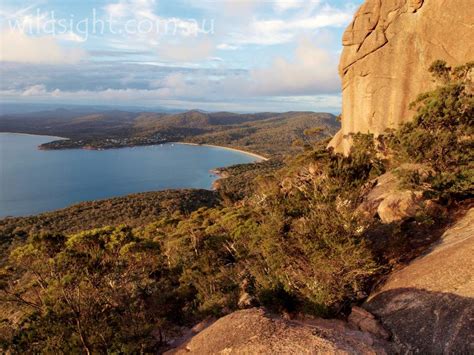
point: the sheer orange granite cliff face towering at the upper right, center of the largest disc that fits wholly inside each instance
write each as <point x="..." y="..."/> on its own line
<point x="388" y="49"/>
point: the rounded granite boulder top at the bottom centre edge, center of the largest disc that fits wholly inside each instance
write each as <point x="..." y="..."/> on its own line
<point x="253" y="331"/>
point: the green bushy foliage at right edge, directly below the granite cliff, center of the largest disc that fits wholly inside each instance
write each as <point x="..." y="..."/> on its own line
<point x="441" y="133"/>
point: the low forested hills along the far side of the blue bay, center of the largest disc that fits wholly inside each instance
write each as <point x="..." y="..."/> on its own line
<point x="265" y="133"/>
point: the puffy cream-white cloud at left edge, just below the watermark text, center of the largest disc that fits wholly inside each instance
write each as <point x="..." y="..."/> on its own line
<point x="21" y="48"/>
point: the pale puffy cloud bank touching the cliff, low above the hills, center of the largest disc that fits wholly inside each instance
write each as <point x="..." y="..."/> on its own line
<point x="312" y="71"/>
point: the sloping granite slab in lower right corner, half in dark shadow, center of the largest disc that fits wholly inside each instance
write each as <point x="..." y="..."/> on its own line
<point x="428" y="306"/>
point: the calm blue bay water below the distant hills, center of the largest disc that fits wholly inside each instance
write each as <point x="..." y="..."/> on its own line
<point x="34" y="181"/>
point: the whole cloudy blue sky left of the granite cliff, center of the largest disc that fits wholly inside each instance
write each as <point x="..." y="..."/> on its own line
<point x="233" y="55"/>
